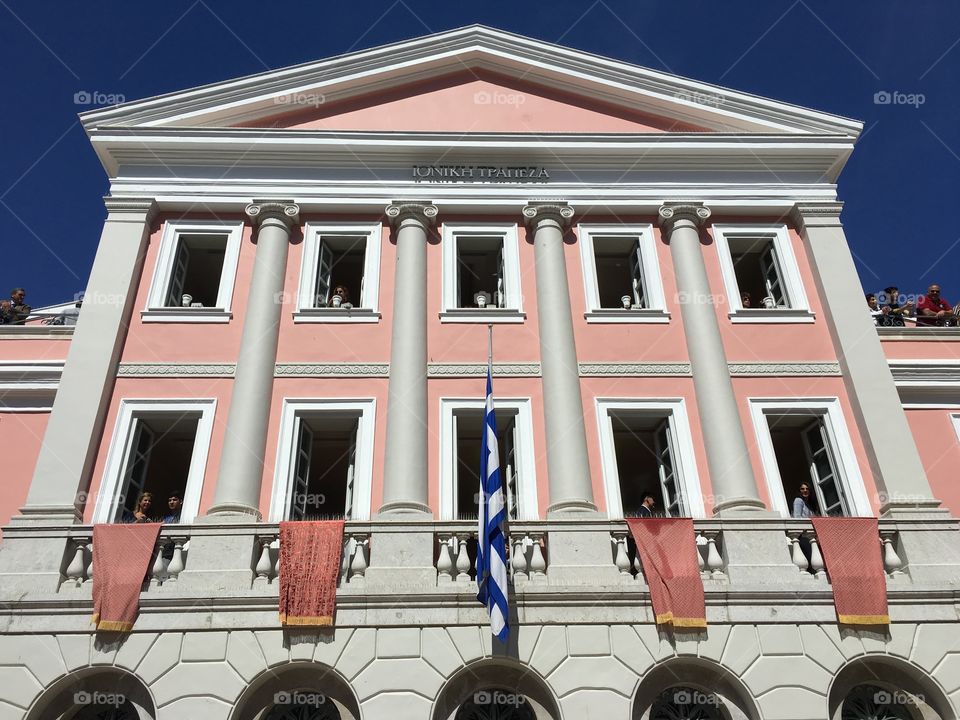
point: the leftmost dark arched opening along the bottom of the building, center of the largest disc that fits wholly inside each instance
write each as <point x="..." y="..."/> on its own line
<point x="79" y="693"/>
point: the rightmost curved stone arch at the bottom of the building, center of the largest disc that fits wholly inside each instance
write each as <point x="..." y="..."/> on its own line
<point x="914" y="693"/>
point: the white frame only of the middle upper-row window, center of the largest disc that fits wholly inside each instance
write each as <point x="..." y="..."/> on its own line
<point x="513" y="312"/>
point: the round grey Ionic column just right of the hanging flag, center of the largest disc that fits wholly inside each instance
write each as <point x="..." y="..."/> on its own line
<point x="567" y="465"/>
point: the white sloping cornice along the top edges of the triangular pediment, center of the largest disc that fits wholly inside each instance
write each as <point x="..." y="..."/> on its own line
<point x="472" y="48"/>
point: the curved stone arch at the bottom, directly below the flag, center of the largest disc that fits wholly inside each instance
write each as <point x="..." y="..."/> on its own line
<point x="496" y="675"/>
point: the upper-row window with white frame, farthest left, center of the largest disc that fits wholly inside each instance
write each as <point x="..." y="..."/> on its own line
<point x="194" y="276"/>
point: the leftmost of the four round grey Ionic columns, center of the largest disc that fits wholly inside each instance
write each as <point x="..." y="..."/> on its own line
<point x="241" y="467"/>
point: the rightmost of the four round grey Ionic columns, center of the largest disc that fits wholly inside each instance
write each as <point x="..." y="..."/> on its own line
<point x="730" y="471"/>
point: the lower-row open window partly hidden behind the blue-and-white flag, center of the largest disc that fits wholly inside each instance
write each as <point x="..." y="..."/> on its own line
<point x="461" y="438"/>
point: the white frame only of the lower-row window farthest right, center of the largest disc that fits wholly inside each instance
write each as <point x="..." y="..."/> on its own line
<point x="831" y="413"/>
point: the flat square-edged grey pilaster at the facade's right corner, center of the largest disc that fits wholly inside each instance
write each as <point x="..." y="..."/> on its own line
<point x="894" y="459"/>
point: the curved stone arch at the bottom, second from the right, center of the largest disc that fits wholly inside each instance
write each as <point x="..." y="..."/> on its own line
<point x="695" y="677"/>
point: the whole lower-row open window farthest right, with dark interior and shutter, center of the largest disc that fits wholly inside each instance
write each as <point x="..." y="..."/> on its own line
<point x="806" y="442"/>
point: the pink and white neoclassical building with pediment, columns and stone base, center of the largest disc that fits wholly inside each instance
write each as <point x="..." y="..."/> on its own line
<point x="288" y="318"/>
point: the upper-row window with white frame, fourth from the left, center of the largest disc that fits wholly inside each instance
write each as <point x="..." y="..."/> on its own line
<point x="621" y="274"/>
